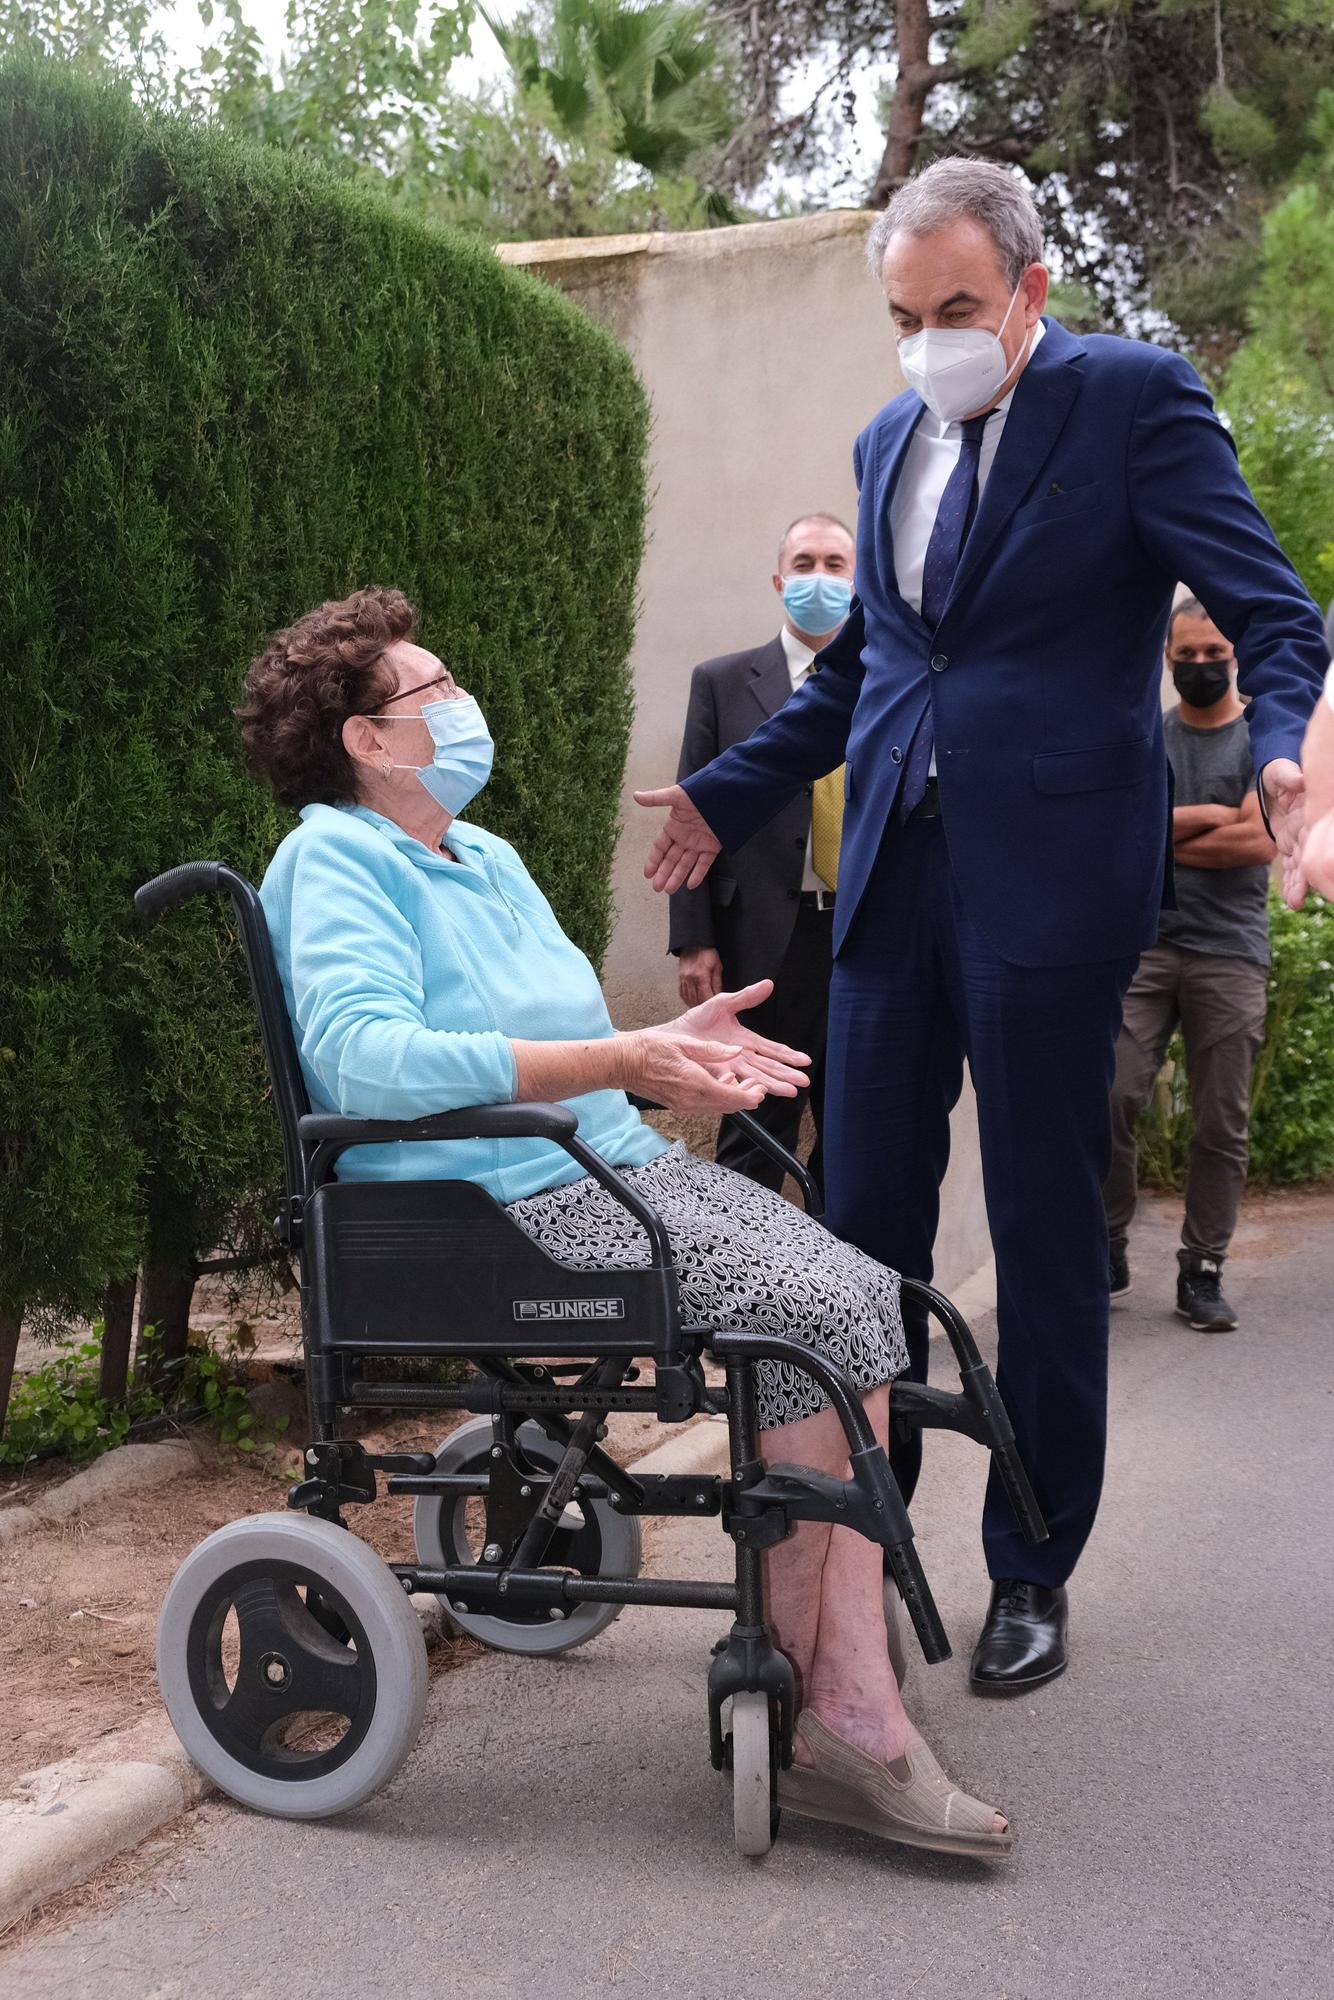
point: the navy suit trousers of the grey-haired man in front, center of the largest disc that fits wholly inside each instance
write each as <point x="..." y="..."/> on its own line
<point x="917" y="989"/>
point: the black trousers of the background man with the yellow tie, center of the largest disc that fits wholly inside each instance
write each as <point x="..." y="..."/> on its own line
<point x="795" y="1013"/>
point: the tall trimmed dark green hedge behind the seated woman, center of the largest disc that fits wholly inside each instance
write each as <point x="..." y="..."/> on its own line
<point x="229" y="389"/>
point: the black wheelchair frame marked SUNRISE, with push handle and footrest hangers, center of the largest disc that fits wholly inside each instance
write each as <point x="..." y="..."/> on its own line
<point x="523" y="1375"/>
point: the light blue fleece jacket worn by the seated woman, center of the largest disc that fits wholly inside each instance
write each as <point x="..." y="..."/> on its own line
<point x="407" y="975"/>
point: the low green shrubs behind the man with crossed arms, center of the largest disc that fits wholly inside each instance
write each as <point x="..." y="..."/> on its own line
<point x="1293" y="1089"/>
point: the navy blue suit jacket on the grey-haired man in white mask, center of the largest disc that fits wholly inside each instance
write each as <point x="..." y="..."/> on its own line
<point x="1113" y="483"/>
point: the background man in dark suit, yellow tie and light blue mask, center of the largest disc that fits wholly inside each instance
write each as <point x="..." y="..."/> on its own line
<point x="769" y="913"/>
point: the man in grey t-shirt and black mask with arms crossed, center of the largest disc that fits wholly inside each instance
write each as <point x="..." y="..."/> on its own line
<point x="1207" y="973"/>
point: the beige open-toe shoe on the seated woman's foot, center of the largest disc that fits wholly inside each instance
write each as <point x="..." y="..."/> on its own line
<point x="911" y="1801"/>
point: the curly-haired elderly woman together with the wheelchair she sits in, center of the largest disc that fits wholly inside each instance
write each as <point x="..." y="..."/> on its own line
<point x="467" y="1173"/>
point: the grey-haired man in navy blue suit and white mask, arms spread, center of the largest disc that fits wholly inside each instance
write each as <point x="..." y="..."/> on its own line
<point x="1027" y="511"/>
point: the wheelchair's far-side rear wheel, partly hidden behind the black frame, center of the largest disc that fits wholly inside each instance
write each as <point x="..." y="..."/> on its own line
<point x="593" y="1539"/>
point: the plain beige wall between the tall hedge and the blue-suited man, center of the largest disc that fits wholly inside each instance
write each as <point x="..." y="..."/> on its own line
<point x="765" y="349"/>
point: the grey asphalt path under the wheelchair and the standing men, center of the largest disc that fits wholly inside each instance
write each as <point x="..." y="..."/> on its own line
<point x="559" y="1831"/>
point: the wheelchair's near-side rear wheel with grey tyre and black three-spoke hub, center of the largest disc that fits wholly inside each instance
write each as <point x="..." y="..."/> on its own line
<point x="291" y="1665"/>
